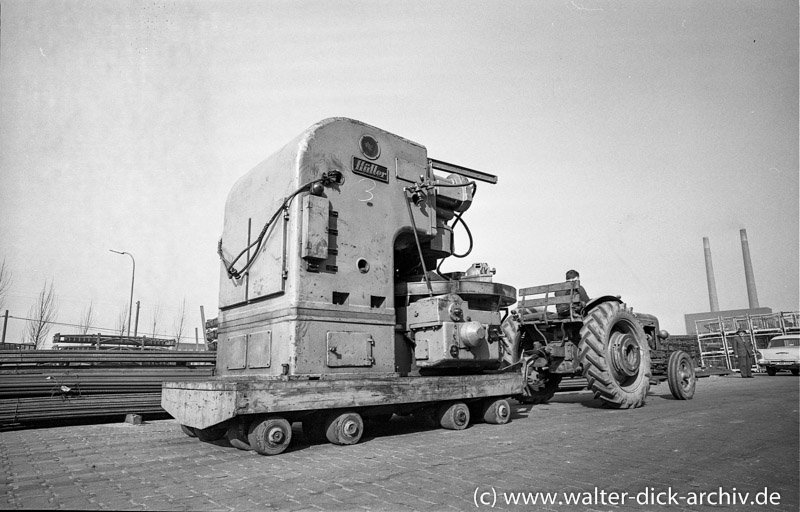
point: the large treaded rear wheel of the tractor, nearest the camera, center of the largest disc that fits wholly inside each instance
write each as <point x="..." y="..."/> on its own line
<point x="615" y="356"/>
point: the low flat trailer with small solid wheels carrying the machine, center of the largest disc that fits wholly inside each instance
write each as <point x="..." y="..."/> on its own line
<point x="258" y="414"/>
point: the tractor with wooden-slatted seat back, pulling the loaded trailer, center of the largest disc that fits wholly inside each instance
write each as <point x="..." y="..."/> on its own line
<point x="619" y="352"/>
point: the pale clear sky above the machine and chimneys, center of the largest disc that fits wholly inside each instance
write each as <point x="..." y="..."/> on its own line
<point x="622" y="132"/>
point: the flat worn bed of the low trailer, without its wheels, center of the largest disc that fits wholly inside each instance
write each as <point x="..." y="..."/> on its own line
<point x="210" y="404"/>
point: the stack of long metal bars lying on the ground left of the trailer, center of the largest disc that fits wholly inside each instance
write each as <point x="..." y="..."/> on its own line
<point x="46" y="385"/>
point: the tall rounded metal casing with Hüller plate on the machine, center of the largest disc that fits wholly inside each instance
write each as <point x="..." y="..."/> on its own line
<point x="319" y="297"/>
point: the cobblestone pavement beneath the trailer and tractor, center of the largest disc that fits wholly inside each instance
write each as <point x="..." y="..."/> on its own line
<point x="736" y="436"/>
